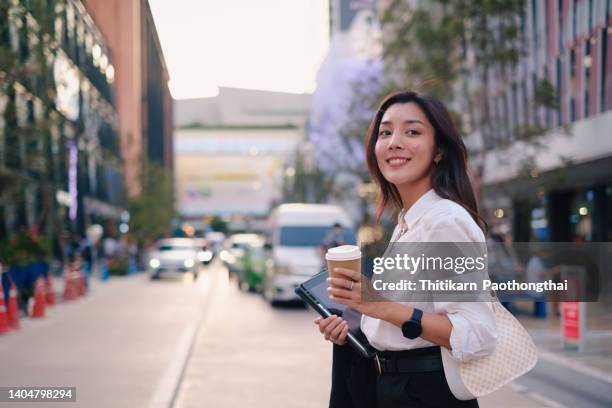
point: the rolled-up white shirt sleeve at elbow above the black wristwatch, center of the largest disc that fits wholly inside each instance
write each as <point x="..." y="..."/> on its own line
<point x="474" y="333"/>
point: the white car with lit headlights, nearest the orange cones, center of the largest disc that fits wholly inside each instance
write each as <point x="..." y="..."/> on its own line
<point x="174" y="255"/>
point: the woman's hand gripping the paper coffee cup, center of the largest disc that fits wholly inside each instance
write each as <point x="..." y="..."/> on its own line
<point x="346" y="290"/>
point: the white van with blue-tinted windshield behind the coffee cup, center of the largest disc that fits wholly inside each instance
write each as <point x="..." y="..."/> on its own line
<point x="295" y="233"/>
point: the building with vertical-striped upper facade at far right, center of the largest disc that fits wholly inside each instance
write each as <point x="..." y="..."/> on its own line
<point x="559" y="188"/>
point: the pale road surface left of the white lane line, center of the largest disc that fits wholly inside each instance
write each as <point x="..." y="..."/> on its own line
<point x="114" y="345"/>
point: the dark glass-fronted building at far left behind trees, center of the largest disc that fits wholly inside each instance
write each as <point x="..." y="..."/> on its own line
<point x="60" y="159"/>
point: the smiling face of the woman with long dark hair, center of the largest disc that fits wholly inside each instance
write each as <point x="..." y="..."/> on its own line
<point x="405" y="145"/>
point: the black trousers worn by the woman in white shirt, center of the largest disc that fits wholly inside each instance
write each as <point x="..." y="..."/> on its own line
<point x="357" y="384"/>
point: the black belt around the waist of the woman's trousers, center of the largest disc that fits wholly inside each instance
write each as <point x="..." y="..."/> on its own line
<point x="420" y="360"/>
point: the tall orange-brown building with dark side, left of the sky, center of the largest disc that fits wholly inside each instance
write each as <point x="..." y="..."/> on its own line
<point x="144" y="104"/>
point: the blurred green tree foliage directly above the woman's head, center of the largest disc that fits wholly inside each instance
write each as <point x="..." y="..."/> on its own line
<point x="428" y="45"/>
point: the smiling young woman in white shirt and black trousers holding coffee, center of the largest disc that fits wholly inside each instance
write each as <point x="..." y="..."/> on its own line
<point x="417" y="157"/>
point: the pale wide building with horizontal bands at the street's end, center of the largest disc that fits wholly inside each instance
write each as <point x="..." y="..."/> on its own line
<point x="230" y="153"/>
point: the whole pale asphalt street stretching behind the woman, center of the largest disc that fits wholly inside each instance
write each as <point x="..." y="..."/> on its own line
<point x="137" y="343"/>
